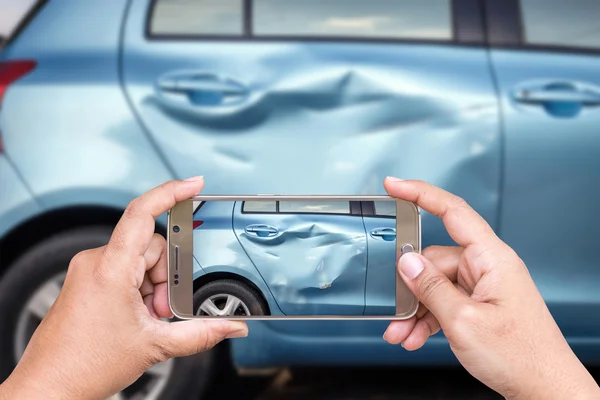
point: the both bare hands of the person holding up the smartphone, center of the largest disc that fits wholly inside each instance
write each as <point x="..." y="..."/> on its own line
<point x="105" y="329"/>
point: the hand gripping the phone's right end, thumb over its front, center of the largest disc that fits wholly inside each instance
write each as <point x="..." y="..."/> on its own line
<point x="483" y="298"/>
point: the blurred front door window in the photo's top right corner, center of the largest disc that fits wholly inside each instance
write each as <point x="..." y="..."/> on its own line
<point x="573" y="23"/>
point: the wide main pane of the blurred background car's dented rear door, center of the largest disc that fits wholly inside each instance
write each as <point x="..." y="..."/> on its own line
<point x="418" y="19"/>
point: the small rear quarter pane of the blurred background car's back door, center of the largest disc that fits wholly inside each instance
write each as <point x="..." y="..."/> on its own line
<point x="197" y="17"/>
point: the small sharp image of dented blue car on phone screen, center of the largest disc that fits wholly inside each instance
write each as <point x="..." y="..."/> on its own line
<point x="294" y="258"/>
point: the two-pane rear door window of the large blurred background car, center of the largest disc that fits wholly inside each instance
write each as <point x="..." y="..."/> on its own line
<point x="386" y="19"/>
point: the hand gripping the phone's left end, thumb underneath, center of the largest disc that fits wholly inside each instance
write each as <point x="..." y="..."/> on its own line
<point x="105" y="328"/>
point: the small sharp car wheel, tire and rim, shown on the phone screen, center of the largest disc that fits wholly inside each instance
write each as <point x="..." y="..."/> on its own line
<point x="228" y="297"/>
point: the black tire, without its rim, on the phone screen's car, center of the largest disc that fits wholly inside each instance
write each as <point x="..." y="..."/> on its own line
<point x="252" y="299"/>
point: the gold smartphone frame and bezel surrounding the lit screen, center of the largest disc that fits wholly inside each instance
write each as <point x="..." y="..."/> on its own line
<point x="179" y="246"/>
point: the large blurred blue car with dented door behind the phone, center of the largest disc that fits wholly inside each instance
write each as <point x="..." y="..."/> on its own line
<point x="497" y="101"/>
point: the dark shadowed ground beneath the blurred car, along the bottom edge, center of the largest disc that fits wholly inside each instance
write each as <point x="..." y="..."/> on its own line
<point x="358" y="384"/>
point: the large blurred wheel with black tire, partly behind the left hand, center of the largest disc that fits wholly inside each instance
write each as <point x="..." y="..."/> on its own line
<point x="31" y="286"/>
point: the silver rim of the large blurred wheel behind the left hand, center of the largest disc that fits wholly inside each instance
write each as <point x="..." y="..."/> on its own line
<point x="148" y="387"/>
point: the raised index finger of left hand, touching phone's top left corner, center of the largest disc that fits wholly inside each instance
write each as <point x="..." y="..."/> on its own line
<point x="135" y="229"/>
